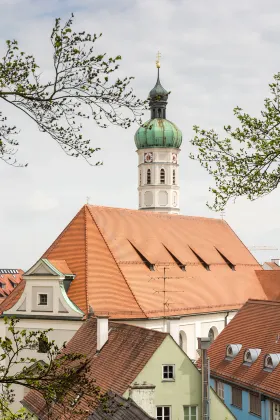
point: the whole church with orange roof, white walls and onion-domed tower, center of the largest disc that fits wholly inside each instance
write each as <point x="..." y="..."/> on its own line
<point x="150" y="267"/>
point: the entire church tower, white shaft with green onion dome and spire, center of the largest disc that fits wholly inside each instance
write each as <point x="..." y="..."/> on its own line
<point x="158" y="144"/>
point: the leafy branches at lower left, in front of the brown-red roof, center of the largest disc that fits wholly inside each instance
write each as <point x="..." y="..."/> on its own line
<point x="60" y="377"/>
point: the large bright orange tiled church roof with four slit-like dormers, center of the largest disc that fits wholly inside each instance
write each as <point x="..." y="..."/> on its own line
<point x="99" y="247"/>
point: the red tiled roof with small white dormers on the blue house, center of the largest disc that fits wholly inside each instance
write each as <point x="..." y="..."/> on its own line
<point x="256" y="325"/>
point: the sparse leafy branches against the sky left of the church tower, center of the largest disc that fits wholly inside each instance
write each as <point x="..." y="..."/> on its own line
<point x="81" y="88"/>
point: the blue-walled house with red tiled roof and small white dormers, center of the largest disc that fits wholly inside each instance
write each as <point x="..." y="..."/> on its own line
<point x="244" y="362"/>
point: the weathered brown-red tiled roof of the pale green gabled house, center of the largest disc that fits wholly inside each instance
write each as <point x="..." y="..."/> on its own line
<point x="115" y="367"/>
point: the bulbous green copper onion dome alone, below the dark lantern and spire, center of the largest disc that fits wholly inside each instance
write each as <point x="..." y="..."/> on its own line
<point x="158" y="132"/>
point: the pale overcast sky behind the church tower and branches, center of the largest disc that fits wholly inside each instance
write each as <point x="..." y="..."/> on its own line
<point x="215" y="55"/>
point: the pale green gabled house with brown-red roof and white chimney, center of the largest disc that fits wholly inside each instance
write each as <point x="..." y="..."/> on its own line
<point x="145" y="365"/>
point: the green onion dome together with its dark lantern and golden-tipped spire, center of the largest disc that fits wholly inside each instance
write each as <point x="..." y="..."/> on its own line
<point x="158" y="131"/>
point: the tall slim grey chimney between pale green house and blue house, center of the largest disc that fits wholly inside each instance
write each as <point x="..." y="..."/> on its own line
<point x="203" y="345"/>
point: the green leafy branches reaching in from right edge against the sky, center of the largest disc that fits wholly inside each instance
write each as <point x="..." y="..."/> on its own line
<point x="247" y="161"/>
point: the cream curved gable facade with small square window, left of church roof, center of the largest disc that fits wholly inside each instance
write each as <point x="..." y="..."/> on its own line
<point x="44" y="304"/>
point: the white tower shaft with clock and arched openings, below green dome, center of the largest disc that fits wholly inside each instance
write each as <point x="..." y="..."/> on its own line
<point x="154" y="194"/>
